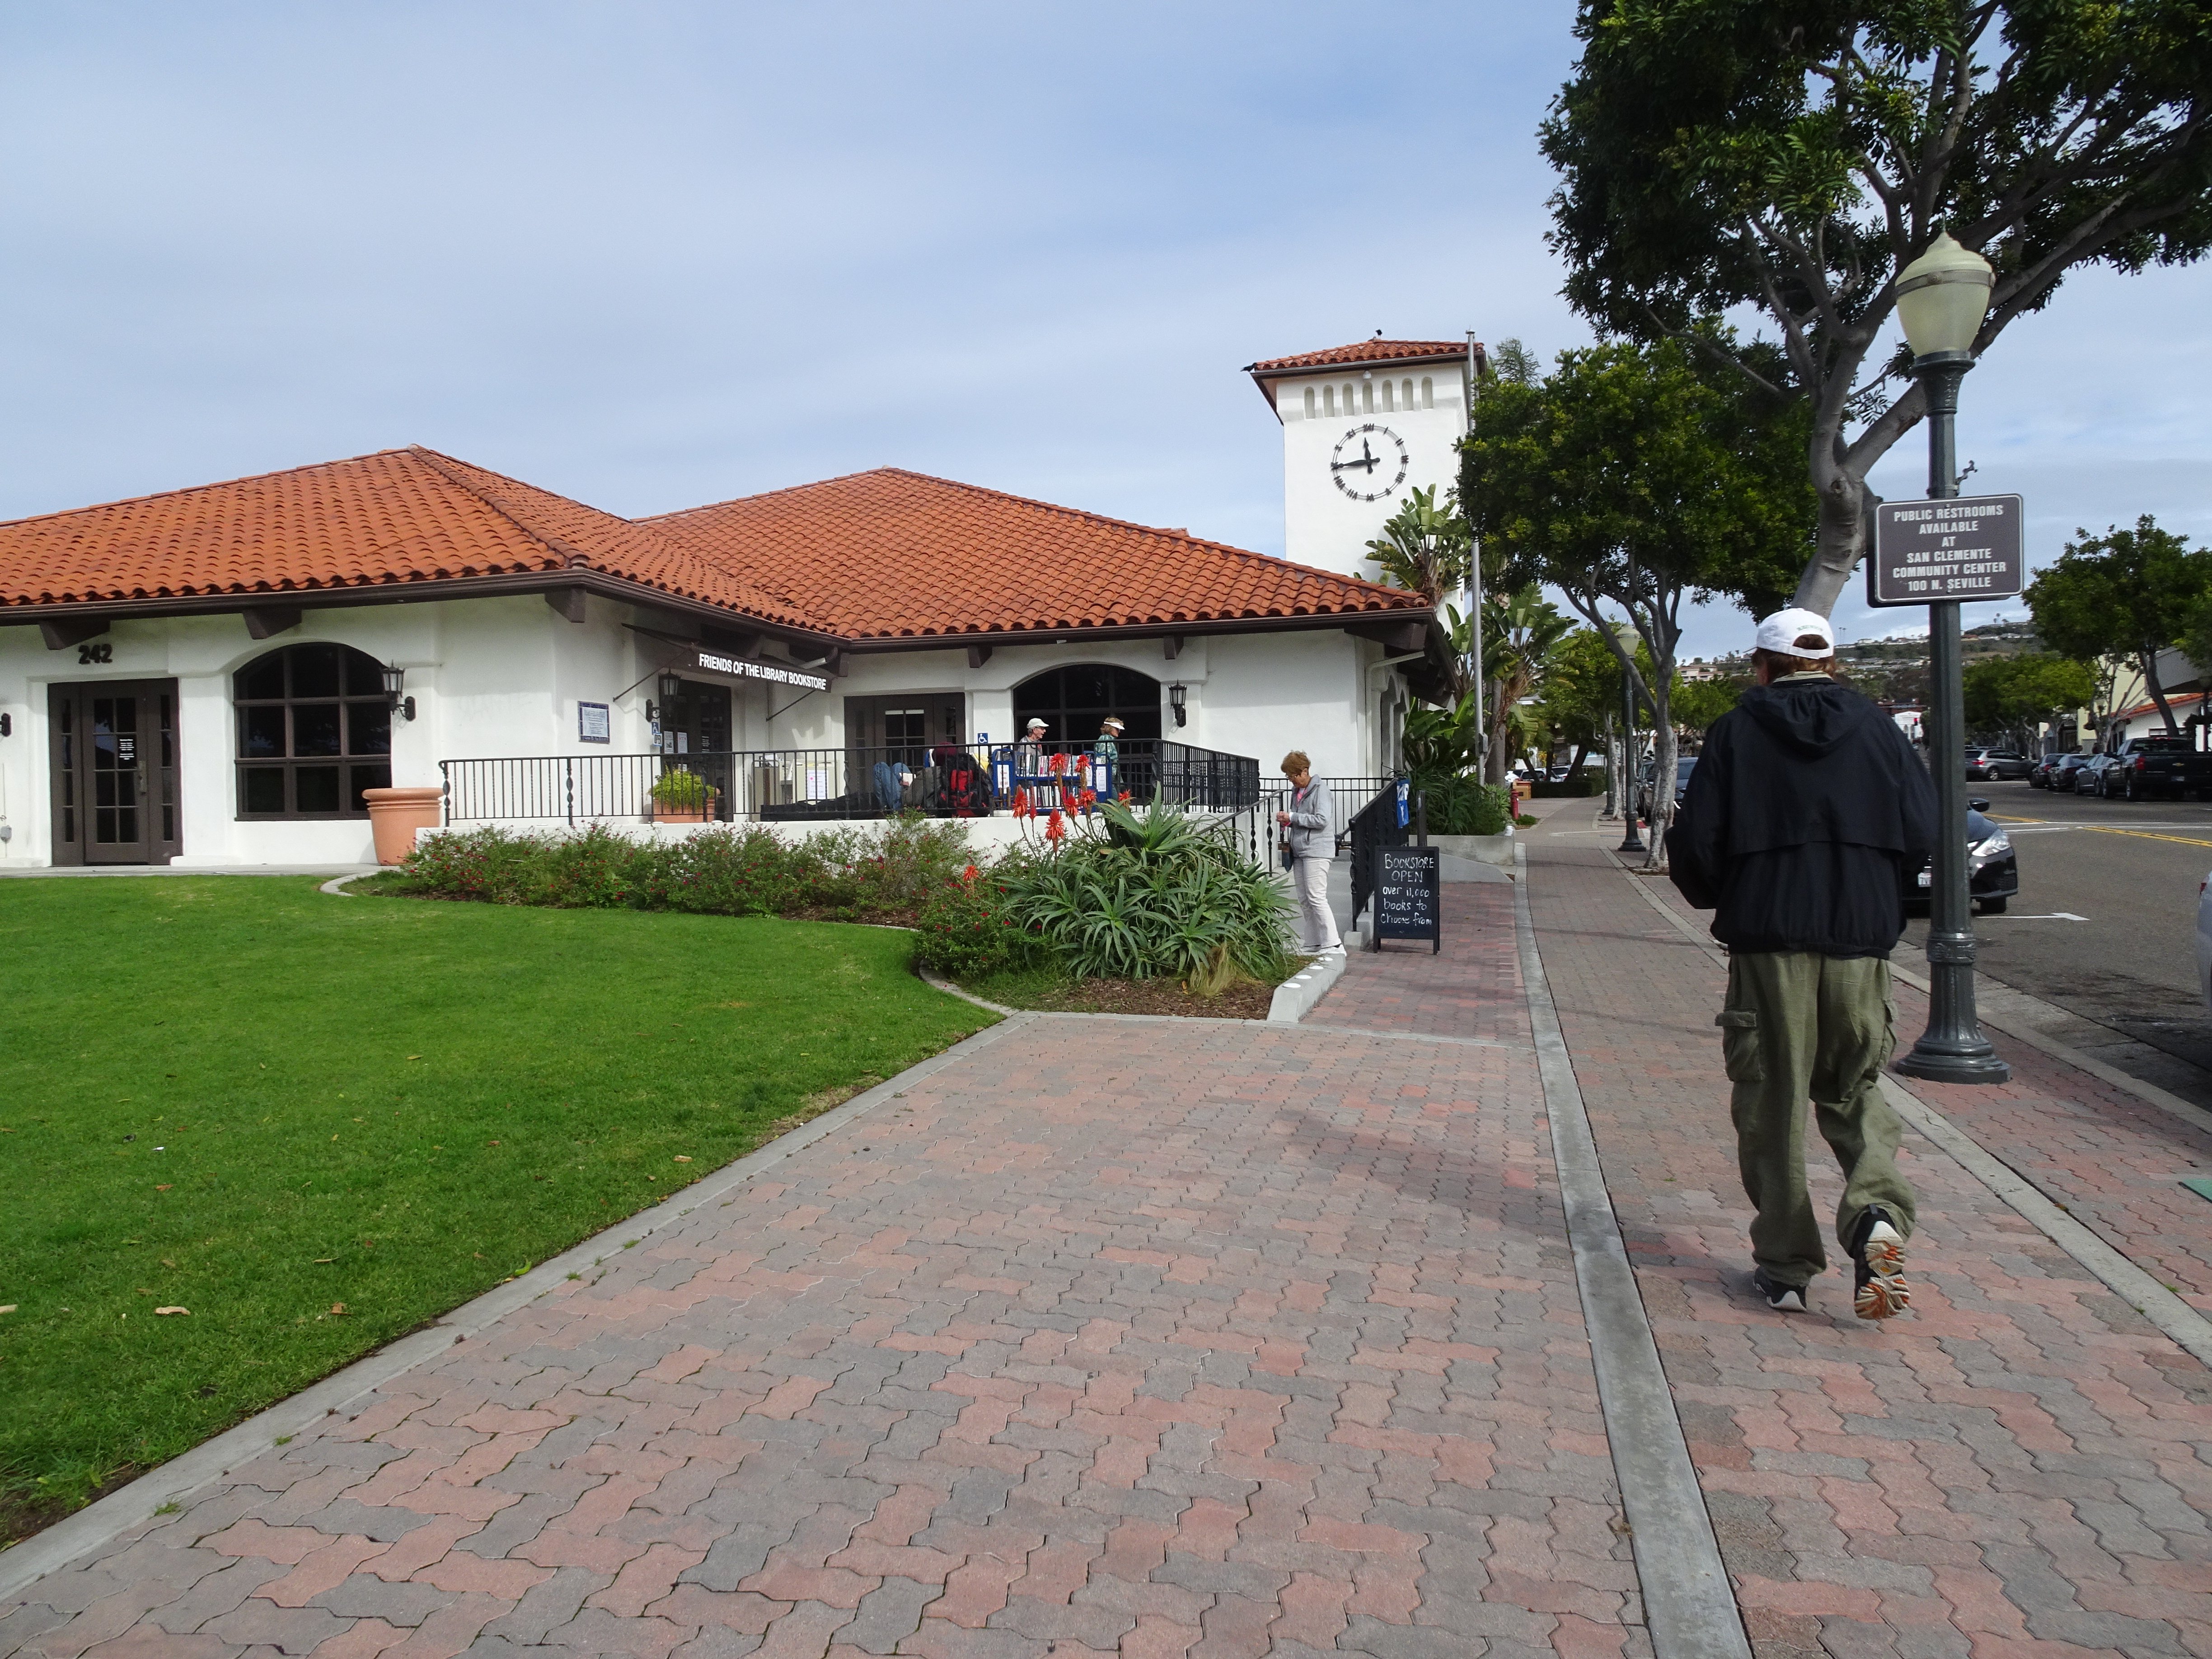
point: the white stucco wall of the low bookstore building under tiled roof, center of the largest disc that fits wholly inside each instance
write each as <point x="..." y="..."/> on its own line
<point x="497" y="678"/>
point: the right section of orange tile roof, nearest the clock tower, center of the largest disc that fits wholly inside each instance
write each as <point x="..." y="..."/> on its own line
<point x="904" y="556"/>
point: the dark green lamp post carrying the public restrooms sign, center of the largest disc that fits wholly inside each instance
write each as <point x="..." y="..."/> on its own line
<point x="1943" y="300"/>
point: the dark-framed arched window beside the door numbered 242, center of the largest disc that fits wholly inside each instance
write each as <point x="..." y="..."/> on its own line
<point x="315" y="731"/>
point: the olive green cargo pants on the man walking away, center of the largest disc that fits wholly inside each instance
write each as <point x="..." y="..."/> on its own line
<point x="1811" y="1027"/>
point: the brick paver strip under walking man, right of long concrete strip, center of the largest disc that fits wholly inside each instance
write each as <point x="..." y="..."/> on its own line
<point x="2014" y="1470"/>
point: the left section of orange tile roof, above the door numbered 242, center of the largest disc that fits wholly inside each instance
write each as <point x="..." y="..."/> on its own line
<point x="399" y="517"/>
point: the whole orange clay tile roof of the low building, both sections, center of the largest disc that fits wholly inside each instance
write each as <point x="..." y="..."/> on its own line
<point x="873" y="556"/>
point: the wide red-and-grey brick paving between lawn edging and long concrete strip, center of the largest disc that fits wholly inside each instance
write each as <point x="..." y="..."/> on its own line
<point x="1149" y="1337"/>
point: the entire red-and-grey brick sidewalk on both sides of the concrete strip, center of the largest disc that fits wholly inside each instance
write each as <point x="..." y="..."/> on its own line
<point x="1169" y="1337"/>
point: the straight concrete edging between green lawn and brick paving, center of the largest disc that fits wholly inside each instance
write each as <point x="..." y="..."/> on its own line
<point x="207" y="1463"/>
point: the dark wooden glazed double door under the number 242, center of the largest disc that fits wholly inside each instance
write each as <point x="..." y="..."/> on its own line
<point x="116" y="773"/>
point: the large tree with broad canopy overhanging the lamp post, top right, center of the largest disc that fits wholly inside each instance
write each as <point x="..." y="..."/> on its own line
<point x="1795" y="156"/>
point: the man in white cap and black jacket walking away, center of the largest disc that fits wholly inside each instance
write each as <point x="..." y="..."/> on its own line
<point x="1802" y="813"/>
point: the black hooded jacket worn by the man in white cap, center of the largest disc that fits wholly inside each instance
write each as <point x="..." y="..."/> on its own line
<point x="1804" y="804"/>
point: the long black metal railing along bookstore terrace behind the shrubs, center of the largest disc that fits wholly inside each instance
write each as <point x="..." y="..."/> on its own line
<point x="941" y="780"/>
